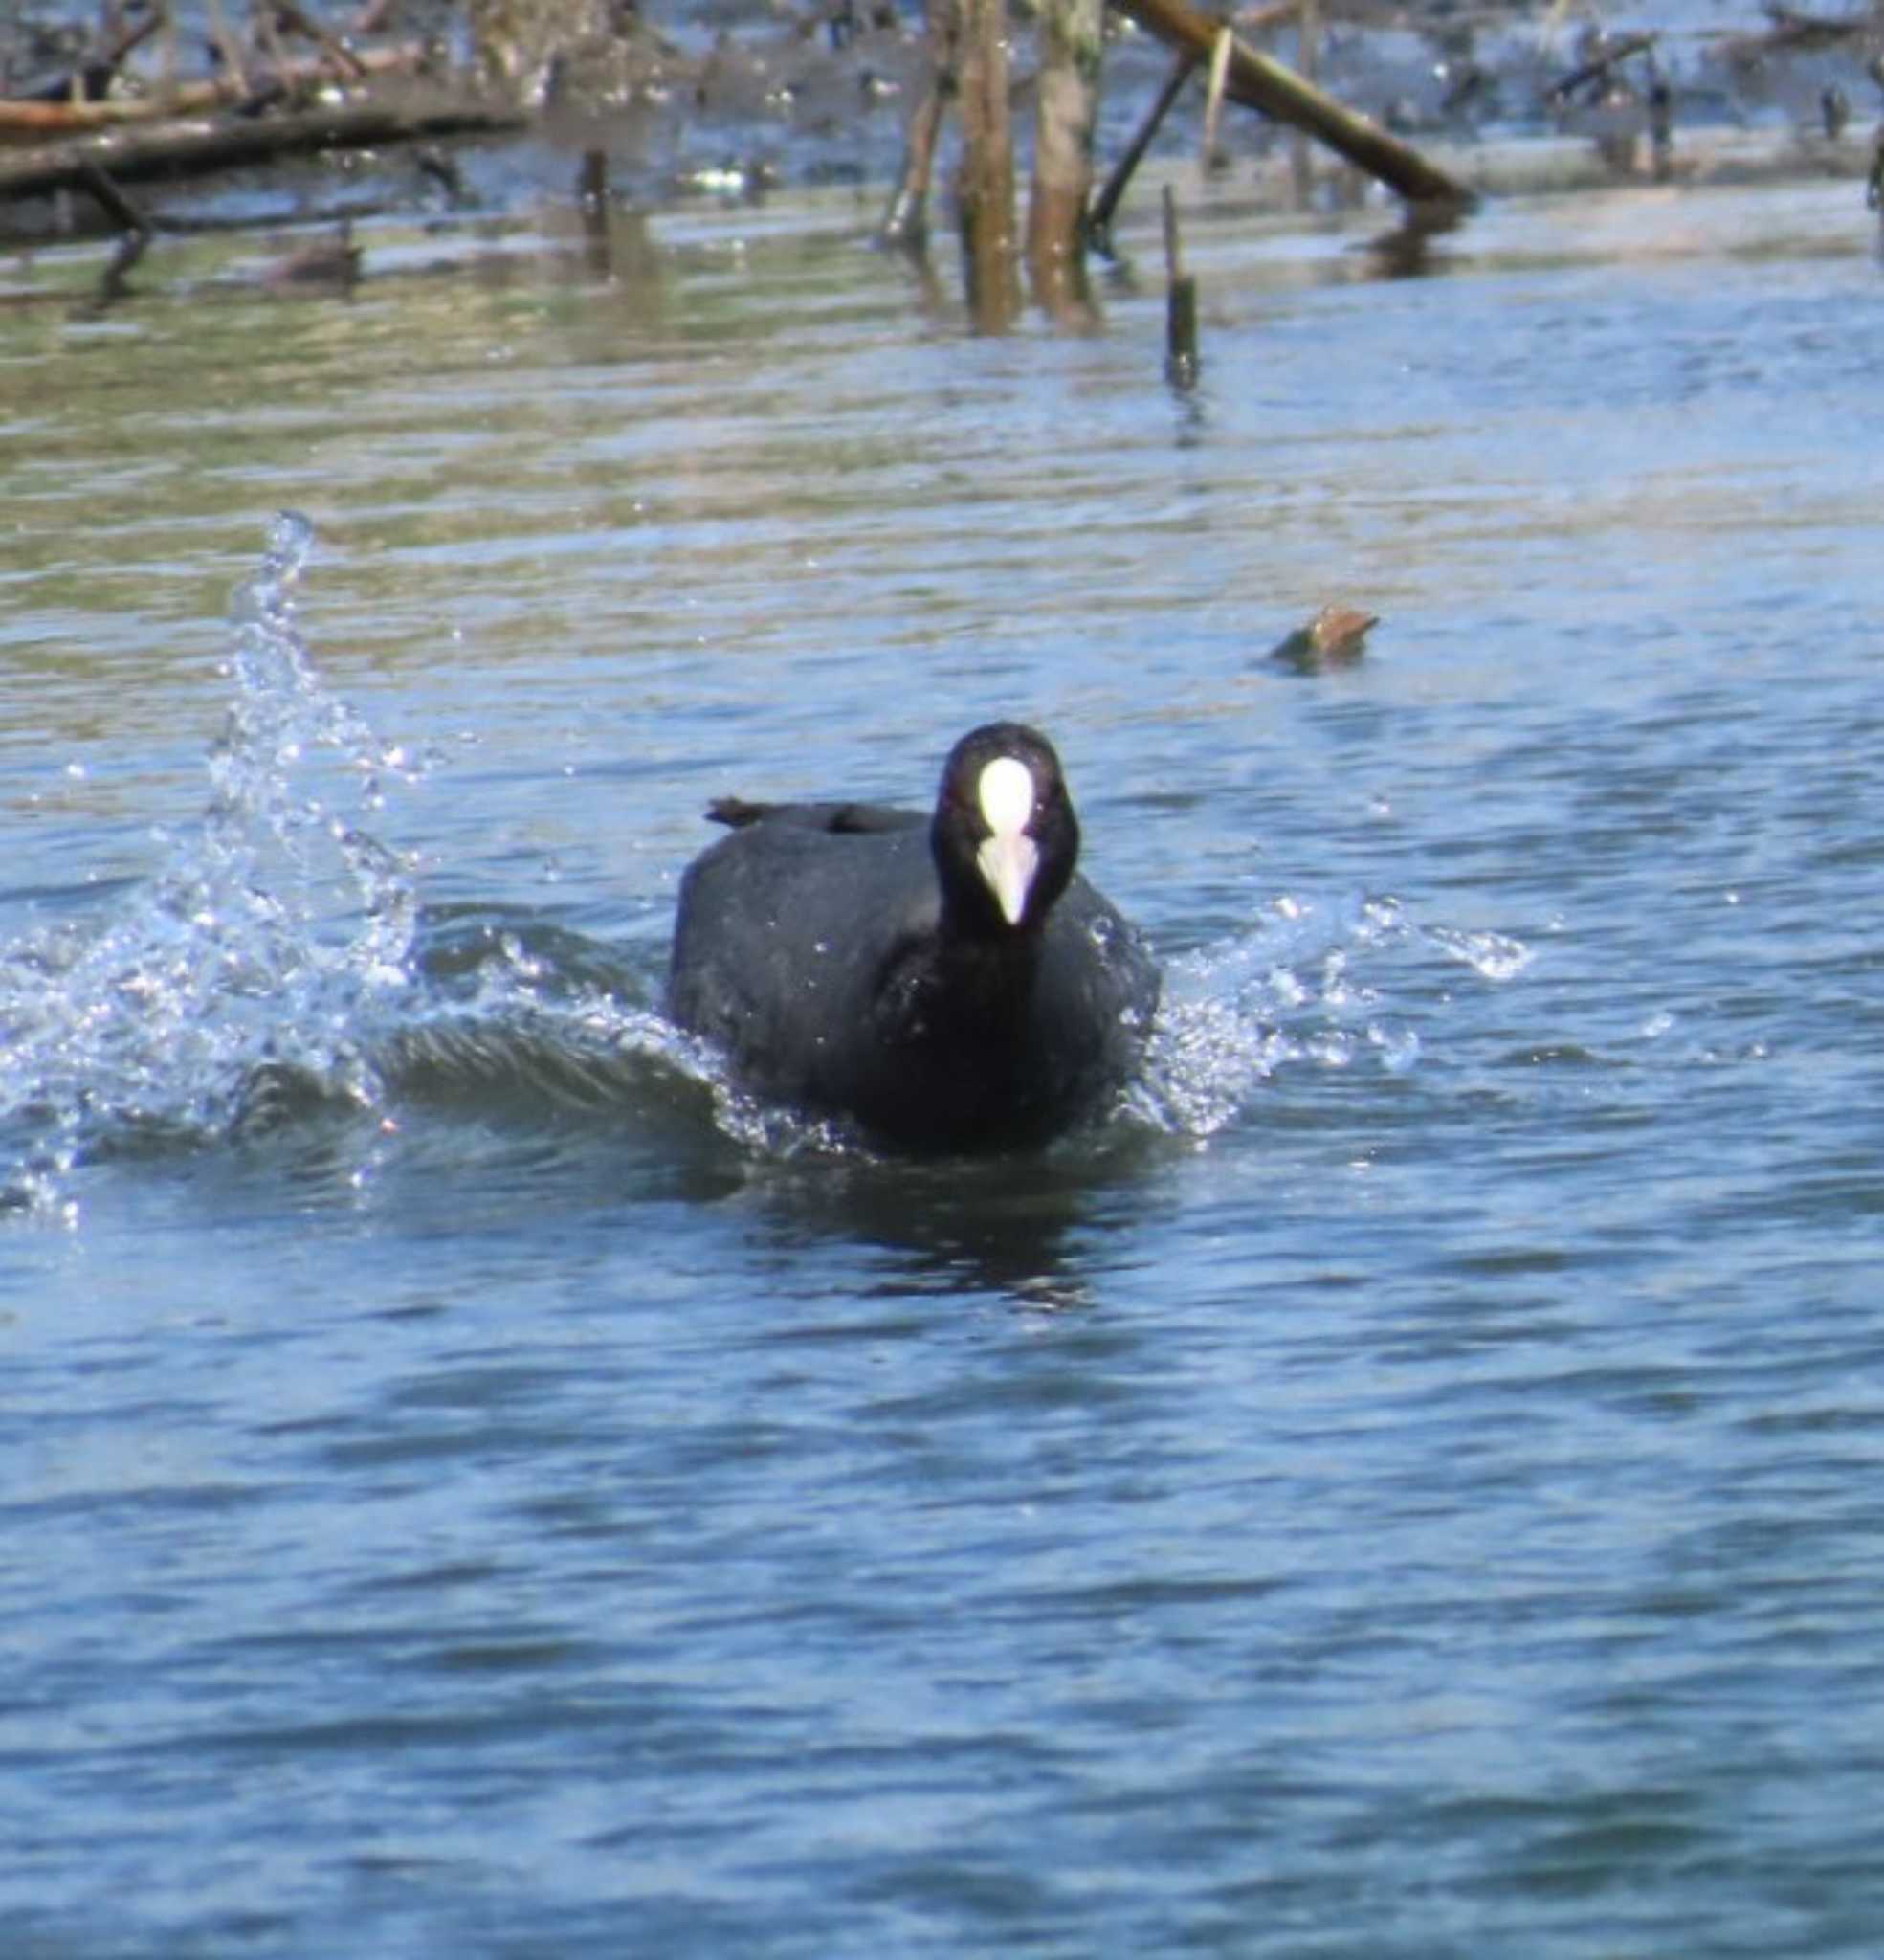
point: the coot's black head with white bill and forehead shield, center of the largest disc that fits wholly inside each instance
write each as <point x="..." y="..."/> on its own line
<point x="1005" y="834"/>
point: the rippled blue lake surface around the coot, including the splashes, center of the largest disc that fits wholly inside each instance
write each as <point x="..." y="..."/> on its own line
<point x="1407" y="1485"/>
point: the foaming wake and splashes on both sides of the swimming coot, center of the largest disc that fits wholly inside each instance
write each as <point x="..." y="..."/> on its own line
<point x="281" y="959"/>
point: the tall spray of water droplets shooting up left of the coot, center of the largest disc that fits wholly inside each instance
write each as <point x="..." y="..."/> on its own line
<point x="273" y="934"/>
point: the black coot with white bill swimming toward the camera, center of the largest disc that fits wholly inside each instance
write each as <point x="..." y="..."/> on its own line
<point x="948" y="983"/>
